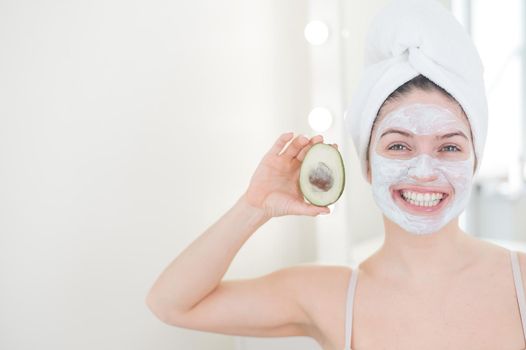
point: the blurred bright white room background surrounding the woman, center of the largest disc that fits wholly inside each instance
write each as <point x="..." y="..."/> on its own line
<point x="127" y="128"/>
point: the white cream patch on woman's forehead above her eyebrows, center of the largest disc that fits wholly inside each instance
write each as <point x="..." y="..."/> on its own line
<point x="422" y="119"/>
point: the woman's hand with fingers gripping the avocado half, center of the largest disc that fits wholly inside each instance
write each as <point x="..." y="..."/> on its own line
<point x="274" y="185"/>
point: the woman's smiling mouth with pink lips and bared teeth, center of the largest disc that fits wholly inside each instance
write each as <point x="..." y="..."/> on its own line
<point x="421" y="200"/>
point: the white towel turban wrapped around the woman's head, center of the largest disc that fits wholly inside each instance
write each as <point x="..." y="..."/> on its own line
<point x="408" y="38"/>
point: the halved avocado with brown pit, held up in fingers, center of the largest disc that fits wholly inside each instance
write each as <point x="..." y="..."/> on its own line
<point x="322" y="175"/>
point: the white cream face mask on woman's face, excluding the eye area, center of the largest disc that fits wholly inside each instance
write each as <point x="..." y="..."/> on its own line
<point x="397" y="182"/>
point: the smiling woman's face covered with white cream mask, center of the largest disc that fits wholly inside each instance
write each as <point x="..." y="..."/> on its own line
<point x="421" y="161"/>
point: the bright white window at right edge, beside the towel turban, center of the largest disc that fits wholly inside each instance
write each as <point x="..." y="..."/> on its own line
<point x="499" y="45"/>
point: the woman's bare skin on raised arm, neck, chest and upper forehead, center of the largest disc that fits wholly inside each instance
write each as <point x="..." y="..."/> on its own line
<point x="447" y="290"/>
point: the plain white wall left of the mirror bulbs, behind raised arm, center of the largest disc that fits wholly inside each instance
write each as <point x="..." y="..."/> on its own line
<point x="126" y="129"/>
